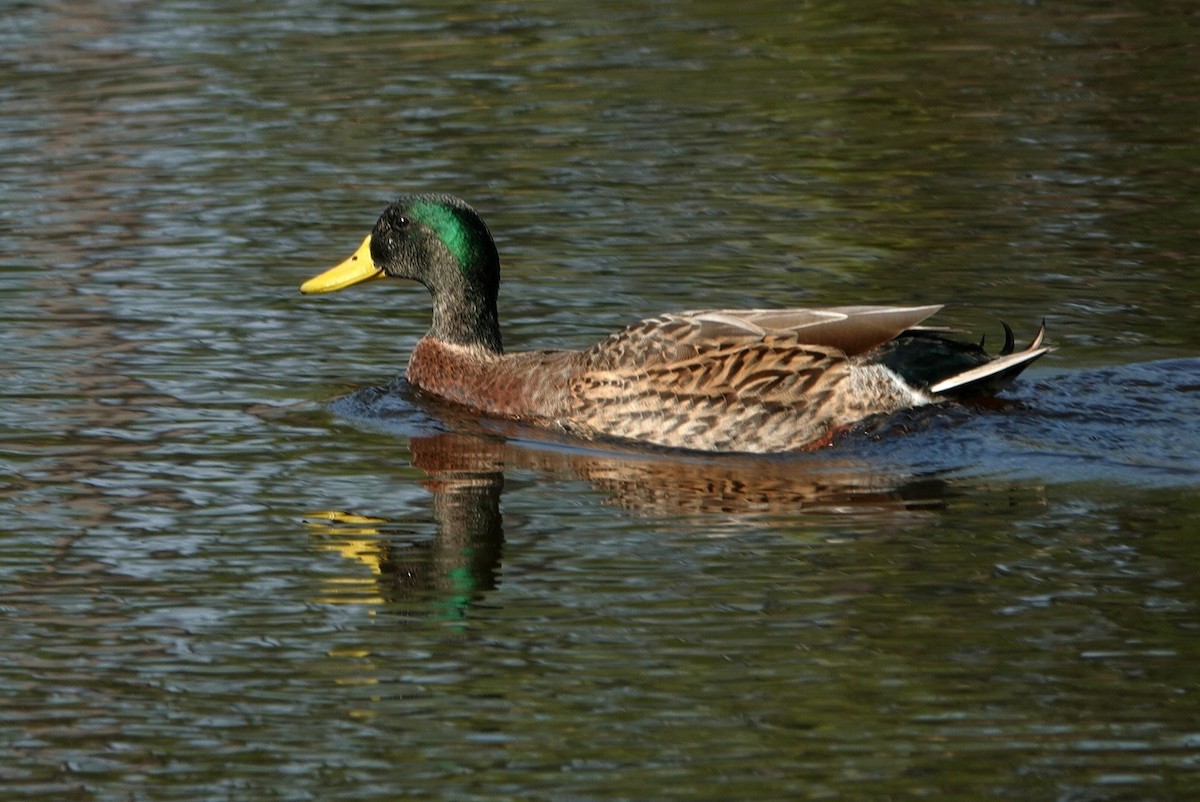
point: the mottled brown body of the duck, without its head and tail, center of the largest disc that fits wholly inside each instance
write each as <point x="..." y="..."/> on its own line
<point x="693" y="380"/>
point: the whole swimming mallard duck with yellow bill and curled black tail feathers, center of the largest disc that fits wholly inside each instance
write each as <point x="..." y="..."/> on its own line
<point x="752" y="381"/>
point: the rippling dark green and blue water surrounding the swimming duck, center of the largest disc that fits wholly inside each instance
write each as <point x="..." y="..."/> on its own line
<point x="231" y="570"/>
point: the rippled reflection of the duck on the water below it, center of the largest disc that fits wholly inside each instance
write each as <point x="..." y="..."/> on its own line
<point x="465" y="475"/>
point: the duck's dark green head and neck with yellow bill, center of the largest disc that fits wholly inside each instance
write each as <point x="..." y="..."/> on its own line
<point x="442" y="243"/>
